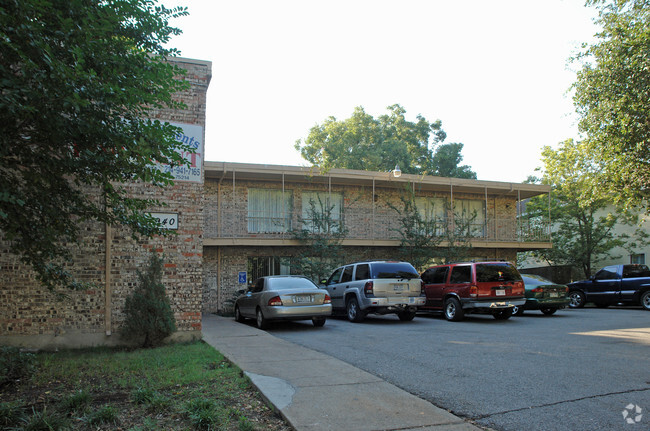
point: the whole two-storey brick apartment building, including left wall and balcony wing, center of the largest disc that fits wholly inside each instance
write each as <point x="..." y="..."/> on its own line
<point x="233" y="223"/>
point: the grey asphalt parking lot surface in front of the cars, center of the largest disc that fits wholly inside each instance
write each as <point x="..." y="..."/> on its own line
<point x="580" y="369"/>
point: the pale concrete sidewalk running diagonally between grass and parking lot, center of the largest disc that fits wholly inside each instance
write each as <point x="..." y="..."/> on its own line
<point x="313" y="391"/>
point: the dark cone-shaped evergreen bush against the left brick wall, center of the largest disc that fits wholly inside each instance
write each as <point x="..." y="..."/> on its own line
<point x="149" y="318"/>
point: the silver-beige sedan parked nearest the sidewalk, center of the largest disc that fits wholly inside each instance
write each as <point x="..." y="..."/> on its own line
<point x="283" y="297"/>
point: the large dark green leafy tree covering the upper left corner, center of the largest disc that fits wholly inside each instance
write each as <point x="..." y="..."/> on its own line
<point x="79" y="81"/>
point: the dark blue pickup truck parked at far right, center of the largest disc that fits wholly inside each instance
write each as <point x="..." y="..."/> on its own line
<point x="615" y="284"/>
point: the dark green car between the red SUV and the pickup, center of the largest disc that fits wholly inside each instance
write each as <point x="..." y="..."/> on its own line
<point x="543" y="295"/>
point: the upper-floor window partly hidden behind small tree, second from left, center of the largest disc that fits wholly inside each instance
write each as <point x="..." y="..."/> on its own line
<point x="322" y="211"/>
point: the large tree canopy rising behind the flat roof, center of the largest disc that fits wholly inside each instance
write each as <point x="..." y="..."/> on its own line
<point x="363" y="142"/>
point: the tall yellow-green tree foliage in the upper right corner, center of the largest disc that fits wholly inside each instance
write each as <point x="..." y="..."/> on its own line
<point x="612" y="96"/>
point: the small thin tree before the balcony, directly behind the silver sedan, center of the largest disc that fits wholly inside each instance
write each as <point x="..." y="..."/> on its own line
<point x="322" y="233"/>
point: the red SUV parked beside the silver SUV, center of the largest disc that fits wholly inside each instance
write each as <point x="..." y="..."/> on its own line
<point x="474" y="287"/>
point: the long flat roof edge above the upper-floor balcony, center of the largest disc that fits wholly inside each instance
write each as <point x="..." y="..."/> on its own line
<point x="300" y="174"/>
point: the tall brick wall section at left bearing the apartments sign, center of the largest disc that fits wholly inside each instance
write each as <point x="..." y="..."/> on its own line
<point x="108" y="257"/>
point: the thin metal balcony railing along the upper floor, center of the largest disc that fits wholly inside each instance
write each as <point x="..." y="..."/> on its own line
<point x="365" y="225"/>
